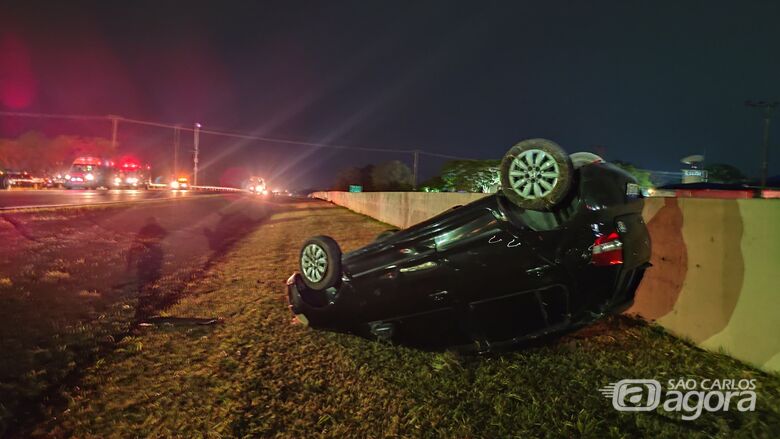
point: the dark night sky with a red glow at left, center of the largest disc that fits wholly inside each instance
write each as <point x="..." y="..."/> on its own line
<point x="649" y="81"/>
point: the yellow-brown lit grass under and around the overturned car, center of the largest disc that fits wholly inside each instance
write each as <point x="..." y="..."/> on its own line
<point x="257" y="374"/>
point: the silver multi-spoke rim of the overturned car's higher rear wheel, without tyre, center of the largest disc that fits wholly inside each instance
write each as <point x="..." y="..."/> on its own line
<point x="533" y="174"/>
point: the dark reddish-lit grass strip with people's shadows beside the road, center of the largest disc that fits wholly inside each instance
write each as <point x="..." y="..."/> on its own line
<point x="73" y="281"/>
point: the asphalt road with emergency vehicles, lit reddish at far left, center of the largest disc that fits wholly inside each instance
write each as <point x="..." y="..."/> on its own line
<point x="53" y="197"/>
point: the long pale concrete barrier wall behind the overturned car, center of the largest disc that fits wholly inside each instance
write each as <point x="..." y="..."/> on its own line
<point x="716" y="265"/>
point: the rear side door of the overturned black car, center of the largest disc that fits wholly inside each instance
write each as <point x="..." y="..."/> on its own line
<point x="505" y="276"/>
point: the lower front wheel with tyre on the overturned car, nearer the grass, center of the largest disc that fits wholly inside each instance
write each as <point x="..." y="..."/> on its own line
<point x="320" y="262"/>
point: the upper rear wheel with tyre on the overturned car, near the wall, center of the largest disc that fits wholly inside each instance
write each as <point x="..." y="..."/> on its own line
<point x="536" y="174"/>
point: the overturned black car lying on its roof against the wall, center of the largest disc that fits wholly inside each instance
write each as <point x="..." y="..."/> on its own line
<point x="562" y="244"/>
